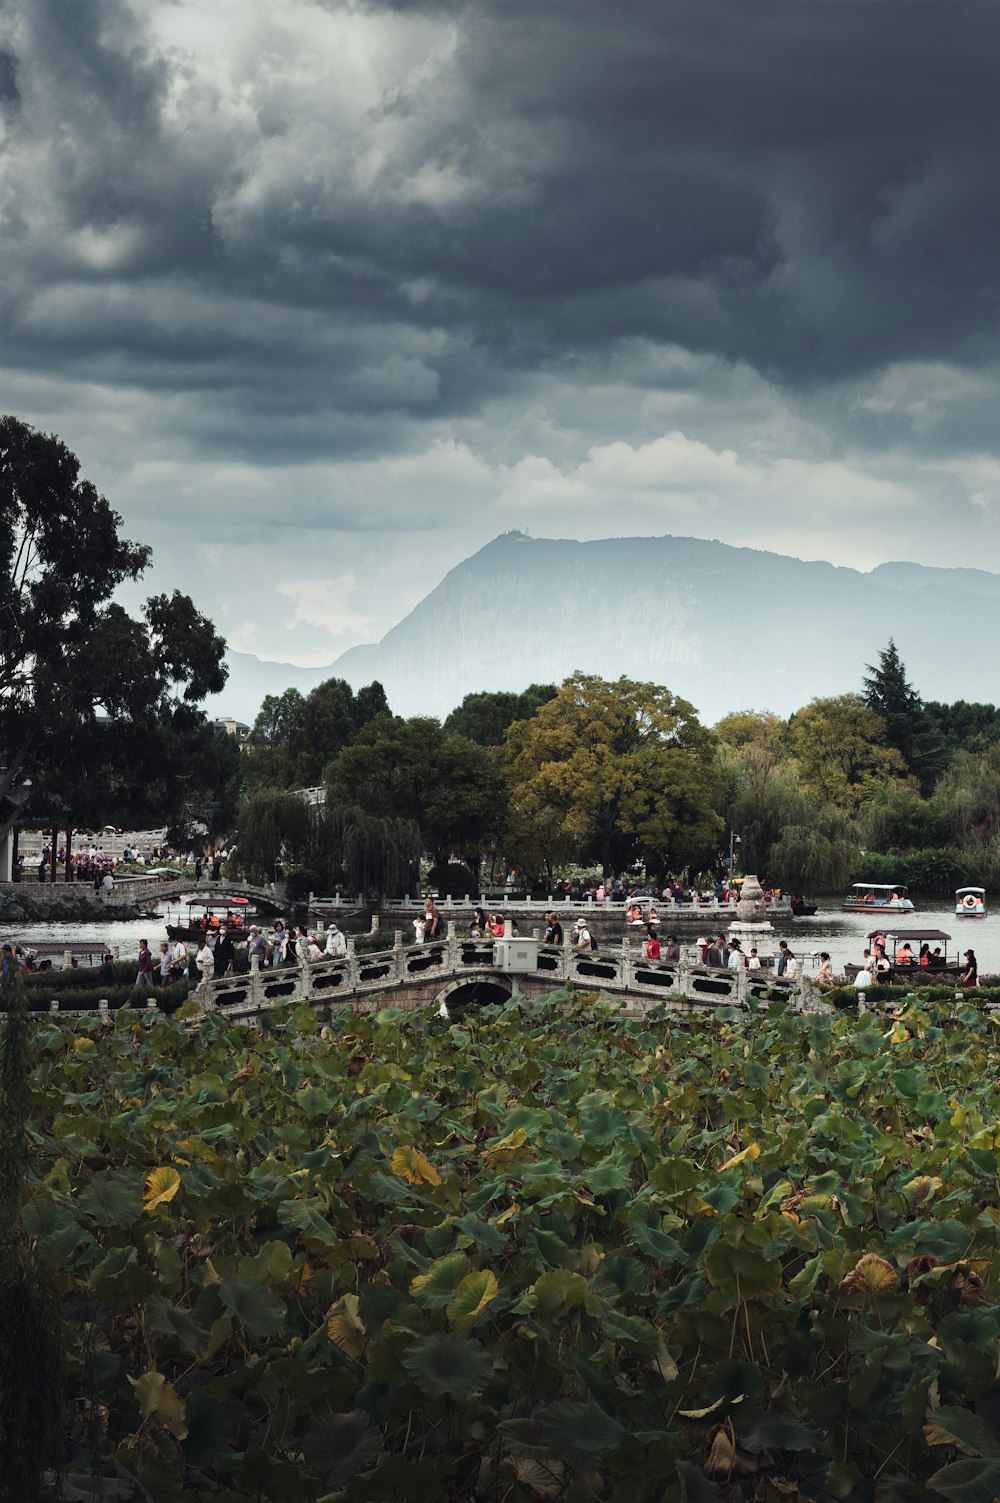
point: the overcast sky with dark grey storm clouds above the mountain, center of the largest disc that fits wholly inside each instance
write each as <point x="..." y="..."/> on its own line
<point x="326" y="295"/>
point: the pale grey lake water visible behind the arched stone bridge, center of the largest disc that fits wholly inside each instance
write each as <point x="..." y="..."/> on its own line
<point x="843" y="936"/>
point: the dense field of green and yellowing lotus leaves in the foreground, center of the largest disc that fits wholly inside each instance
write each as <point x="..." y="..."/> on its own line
<point x="529" y="1256"/>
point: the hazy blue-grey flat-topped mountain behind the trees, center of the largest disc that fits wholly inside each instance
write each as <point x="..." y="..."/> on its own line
<point x="724" y="628"/>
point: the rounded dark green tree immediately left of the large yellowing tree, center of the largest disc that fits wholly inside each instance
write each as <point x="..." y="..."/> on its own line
<point x="413" y="770"/>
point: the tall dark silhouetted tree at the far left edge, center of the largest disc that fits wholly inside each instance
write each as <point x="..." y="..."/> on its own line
<point x="102" y="707"/>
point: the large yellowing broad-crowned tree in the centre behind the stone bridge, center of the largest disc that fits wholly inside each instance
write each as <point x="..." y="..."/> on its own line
<point x="614" y="772"/>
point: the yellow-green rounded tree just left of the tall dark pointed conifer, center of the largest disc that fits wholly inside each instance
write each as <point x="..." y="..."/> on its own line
<point x="840" y="745"/>
